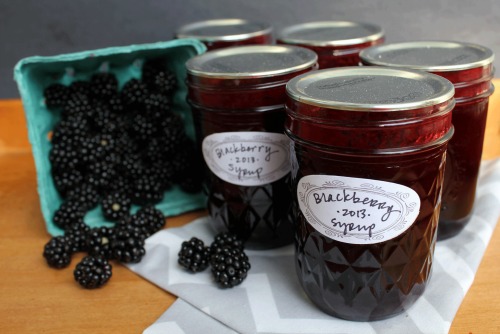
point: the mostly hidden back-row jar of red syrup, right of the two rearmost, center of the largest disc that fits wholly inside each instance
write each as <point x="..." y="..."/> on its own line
<point x="337" y="43"/>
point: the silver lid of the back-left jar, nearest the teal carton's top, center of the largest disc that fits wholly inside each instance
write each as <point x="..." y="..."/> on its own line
<point x="223" y="30"/>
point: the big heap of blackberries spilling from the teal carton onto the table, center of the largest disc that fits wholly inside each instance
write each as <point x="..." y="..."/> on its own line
<point x="115" y="148"/>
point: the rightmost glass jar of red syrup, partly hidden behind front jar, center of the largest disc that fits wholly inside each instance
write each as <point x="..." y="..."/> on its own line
<point x="470" y="68"/>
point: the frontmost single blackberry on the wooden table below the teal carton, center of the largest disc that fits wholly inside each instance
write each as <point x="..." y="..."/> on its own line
<point x="92" y="272"/>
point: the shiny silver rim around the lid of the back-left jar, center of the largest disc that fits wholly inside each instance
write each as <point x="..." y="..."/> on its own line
<point x="192" y="30"/>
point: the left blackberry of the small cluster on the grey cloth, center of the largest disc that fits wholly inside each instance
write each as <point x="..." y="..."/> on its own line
<point x="194" y="255"/>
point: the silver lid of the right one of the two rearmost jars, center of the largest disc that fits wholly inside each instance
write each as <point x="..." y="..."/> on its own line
<point x="331" y="33"/>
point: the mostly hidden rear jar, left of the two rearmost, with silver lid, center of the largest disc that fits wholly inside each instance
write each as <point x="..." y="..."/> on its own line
<point x="222" y="33"/>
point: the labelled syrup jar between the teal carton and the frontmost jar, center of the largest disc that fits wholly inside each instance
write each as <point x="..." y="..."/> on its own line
<point x="237" y="96"/>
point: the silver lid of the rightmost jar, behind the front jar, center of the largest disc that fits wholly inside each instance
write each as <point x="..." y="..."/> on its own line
<point x="432" y="56"/>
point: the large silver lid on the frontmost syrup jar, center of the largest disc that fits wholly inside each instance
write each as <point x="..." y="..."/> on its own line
<point x="370" y="88"/>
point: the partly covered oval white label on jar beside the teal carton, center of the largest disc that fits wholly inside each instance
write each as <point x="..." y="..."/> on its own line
<point x="247" y="158"/>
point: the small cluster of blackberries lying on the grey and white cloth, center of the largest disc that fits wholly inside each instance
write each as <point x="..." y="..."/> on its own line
<point x="225" y="256"/>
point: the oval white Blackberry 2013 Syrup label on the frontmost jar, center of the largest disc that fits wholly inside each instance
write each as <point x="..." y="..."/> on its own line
<point x="357" y="211"/>
